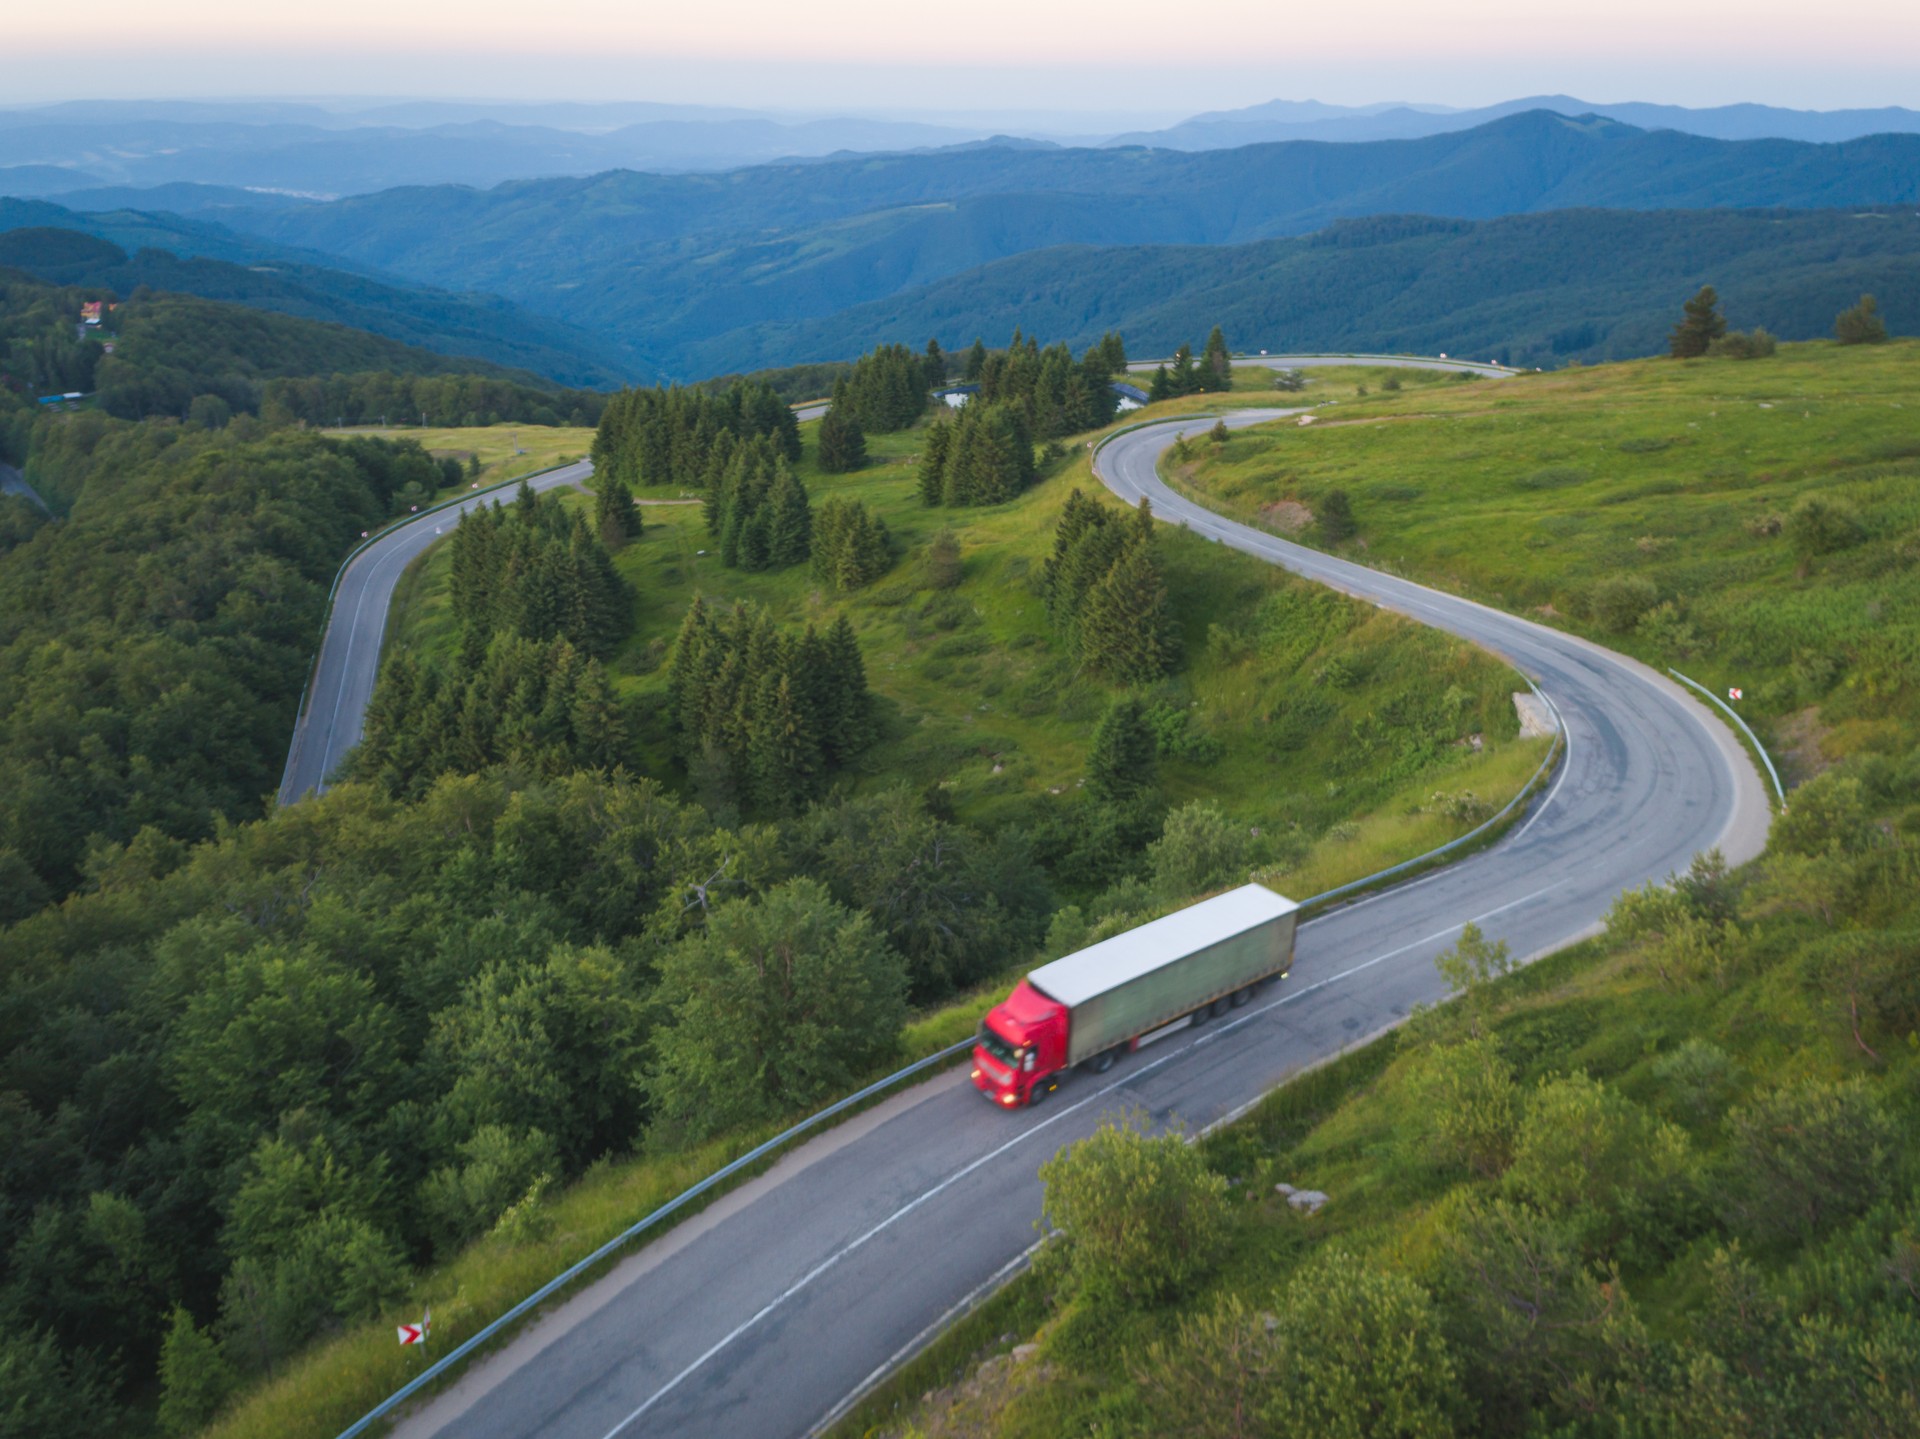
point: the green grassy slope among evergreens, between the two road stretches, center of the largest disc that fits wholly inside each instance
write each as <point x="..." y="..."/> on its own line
<point x="1299" y="689"/>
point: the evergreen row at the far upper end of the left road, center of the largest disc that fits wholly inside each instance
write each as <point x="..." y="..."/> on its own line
<point x="681" y="437"/>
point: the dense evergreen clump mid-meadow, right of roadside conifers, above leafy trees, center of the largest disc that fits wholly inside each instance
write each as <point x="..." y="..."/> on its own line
<point x="765" y="716"/>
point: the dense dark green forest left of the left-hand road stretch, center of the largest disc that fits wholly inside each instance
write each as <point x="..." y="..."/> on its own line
<point x="155" y="643"/>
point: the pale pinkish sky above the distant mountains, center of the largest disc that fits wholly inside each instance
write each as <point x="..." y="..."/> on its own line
<point x="978" y="55"/>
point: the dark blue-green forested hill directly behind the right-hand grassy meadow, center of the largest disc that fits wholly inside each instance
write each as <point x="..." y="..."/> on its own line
<point x="1577" y="285"/>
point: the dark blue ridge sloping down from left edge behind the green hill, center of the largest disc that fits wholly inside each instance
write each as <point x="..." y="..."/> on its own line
<point x="479" y="331"/>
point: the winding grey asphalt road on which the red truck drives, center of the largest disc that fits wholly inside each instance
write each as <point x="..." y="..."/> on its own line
<point x="765" y="1313"/>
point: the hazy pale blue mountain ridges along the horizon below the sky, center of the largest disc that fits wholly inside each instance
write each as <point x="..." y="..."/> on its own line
<point x="366" y="147"/>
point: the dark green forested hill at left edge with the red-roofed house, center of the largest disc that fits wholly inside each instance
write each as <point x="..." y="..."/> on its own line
<point x="164" y="354"/>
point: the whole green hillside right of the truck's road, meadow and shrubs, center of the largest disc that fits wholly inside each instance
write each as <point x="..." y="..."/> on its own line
<point x="1656" y="1184"/>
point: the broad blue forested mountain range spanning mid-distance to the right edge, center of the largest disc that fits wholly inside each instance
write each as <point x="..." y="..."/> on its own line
<point x="667" y="262"/>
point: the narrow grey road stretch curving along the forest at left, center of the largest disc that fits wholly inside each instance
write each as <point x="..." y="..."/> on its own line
<point x="350" y="648"/>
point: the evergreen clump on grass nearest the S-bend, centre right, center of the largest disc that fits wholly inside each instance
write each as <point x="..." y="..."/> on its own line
<point x="1107" y="595"/>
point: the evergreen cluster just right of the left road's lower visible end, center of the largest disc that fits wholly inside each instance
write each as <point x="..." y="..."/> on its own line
<point x="540" y="706"/>
